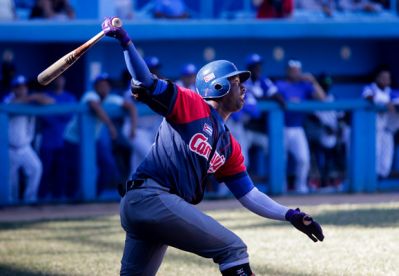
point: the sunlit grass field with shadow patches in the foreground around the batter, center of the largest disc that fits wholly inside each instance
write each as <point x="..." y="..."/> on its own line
<point x="360" y="240"/>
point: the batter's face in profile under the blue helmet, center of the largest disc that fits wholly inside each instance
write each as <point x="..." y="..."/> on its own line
<point x="234" y="100"/>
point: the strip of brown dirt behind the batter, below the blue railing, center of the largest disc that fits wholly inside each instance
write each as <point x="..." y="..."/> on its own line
<point x="70" y="211"/>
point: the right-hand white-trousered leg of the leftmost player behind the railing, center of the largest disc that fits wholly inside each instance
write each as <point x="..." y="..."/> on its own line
<point x="33" y="169"/>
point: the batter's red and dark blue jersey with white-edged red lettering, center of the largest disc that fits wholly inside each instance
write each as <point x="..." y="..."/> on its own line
<point x="192" y="145"/>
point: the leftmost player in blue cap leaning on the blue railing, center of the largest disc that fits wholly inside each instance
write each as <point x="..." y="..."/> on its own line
<point x="21" y="132"/>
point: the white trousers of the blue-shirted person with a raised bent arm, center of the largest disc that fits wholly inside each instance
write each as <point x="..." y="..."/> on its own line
<point x="300" y="151"/>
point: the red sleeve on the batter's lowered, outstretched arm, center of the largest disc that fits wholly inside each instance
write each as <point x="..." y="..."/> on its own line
<point x="234" y="166"/>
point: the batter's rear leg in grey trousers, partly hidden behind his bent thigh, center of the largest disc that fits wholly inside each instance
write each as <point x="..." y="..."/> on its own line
<point x="141" y="257"/>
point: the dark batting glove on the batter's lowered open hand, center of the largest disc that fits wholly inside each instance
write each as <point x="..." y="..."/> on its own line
<point x="305" y="224"/>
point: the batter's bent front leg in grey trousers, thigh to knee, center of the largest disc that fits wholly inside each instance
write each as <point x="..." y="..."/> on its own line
<point x="166" y="217"/>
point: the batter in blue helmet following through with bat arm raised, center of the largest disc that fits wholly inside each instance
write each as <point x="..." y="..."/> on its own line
<point x="192" y="145"/>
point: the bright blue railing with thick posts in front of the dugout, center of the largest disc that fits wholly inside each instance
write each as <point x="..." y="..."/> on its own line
<point x="361" y="168"/>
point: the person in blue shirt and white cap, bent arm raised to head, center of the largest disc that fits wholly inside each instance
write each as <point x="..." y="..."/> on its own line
<point x="298" y="87"/>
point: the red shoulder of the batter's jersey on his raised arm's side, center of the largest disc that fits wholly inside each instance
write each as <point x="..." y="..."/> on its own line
<point x="188" y="106"/>
